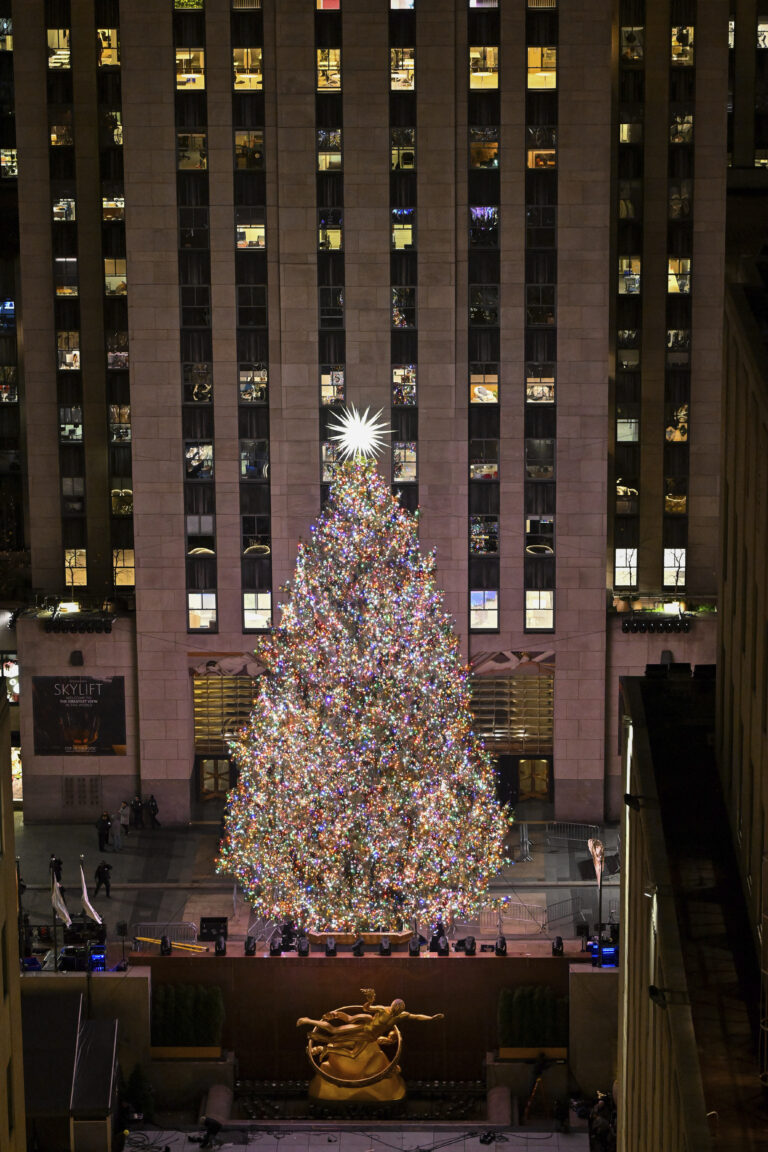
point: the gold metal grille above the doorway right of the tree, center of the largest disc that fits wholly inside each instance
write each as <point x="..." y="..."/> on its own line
<point x="515" y="716"/>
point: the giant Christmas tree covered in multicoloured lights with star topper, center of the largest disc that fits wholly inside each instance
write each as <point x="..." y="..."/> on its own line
<point x="364" y="798"/>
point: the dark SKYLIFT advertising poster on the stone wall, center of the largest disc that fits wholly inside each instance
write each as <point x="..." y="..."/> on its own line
<point x="79" y="716"/>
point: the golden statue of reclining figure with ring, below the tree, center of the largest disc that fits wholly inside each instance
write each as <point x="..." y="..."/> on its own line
<point x="355" y="1051"/>
